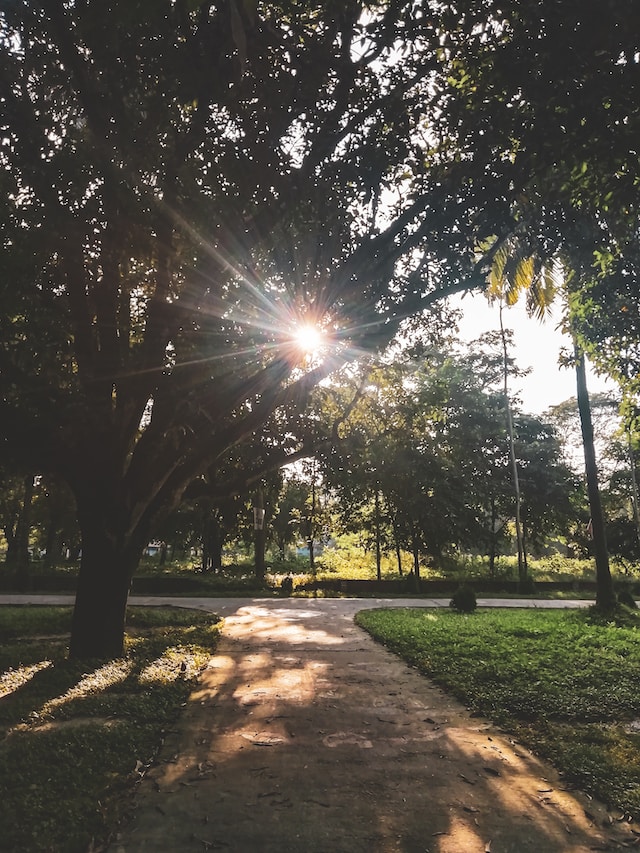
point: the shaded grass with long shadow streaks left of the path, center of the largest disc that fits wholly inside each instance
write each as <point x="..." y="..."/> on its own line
<point x="76" y="737"/>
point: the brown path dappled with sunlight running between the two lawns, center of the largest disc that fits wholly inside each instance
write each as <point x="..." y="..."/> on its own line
<point x="306" y="736"/>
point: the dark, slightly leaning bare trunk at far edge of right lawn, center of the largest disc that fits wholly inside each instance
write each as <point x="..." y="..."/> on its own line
<point x="605" y="595"/>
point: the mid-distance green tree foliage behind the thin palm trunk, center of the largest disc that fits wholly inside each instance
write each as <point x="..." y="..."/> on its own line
<point x="421" y="462"/>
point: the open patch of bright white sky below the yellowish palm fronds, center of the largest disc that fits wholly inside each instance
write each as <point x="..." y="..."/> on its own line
<point x="538" y="346"/>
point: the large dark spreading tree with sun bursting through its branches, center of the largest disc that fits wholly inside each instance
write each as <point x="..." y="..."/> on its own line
<point x="183" y="184"/>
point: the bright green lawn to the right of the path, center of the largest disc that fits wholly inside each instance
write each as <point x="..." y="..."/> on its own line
<point x="564" y="685"/>
